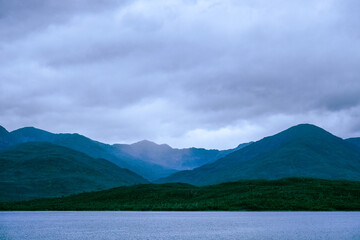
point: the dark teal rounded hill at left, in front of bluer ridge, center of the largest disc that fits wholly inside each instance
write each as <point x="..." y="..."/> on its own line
<point x="38" y="169"/>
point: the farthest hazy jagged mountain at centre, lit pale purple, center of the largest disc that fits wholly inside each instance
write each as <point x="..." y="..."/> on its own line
<point x="180" y="159"/>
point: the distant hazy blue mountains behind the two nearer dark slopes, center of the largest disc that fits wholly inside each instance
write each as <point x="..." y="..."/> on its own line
<point x="150" y="160"/>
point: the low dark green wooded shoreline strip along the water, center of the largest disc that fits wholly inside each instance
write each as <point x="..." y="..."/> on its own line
<point x="258" y="195"/>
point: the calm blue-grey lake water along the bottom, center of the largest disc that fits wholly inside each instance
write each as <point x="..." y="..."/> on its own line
<point x="180" y="225"/>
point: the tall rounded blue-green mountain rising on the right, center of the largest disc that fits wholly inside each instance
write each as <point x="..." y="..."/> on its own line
<point x="301" y="151"/>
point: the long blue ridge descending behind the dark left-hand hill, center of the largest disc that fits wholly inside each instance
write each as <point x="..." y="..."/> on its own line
<point x="92" y="148"/>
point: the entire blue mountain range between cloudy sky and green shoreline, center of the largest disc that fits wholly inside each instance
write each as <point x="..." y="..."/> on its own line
<point x="35" y="163"/>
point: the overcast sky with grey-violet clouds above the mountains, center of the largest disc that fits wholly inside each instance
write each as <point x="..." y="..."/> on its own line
<point x="209" y="73"/>
